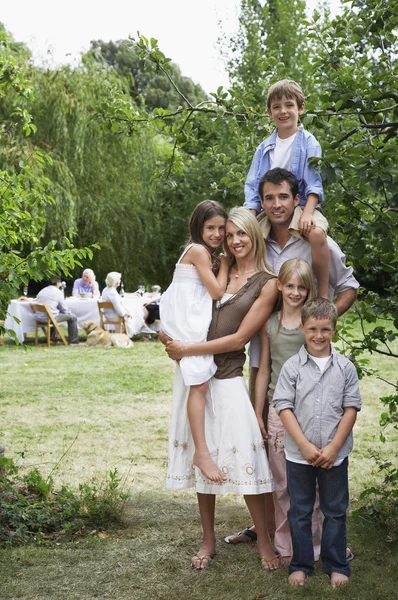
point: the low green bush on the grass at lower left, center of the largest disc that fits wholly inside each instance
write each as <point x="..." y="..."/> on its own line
<point x="32" y="510"/>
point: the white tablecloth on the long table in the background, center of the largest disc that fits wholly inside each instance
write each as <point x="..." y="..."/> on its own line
<point x="85" y="309"/>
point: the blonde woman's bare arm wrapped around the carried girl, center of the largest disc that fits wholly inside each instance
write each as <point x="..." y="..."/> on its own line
<point x="253" y="321"/>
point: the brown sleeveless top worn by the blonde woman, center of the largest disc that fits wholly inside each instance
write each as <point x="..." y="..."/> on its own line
<point x="226" y="320"/>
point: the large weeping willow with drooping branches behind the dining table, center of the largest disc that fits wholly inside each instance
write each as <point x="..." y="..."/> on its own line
<point x="101" y="180"/>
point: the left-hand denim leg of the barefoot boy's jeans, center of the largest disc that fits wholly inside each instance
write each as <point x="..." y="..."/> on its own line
<point x="301" y="484"/>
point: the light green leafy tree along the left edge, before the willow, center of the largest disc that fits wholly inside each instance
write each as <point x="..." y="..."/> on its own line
<point x="24" y="187"/>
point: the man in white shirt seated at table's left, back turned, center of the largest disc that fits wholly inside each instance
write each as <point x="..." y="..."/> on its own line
<point x="54" y="298"/>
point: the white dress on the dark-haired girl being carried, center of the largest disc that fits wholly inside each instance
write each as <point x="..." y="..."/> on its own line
<point x="185" y="314"/>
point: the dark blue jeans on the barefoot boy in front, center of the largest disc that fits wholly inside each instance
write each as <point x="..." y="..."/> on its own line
<point x="333" y="497"/>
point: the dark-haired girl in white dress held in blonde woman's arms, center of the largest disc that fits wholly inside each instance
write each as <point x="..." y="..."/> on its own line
<point x="185" y="314"/>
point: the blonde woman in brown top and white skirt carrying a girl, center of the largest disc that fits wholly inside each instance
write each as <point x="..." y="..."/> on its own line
<point x="232" y="432"/>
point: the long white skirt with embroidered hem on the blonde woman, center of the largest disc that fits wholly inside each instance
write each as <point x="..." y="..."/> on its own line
<point x="232" y="435"/>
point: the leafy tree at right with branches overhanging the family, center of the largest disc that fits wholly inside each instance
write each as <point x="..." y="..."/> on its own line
<point x="352" y="111"/>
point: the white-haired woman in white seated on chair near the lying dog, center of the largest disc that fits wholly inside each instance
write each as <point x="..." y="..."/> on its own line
<point x="134" y="322"/>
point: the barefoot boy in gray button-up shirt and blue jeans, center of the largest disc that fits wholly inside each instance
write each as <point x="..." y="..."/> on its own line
<point x="317" y="398"/>
